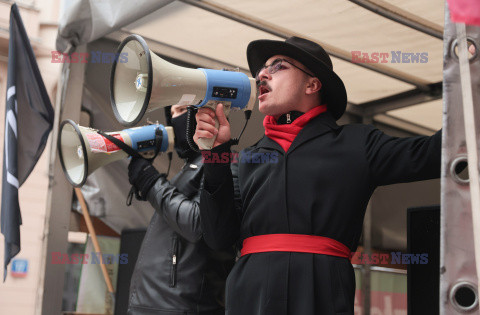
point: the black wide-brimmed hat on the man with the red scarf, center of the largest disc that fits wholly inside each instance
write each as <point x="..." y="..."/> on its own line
<point x="313" y="57"/>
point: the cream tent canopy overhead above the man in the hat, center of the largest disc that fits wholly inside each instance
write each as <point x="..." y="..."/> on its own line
<point x="221" y="33"/>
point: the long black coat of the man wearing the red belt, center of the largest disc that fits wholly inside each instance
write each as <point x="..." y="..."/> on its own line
<point x="321" y="186"/>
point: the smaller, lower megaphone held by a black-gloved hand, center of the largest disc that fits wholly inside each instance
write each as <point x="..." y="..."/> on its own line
<point x="83" y="150"/>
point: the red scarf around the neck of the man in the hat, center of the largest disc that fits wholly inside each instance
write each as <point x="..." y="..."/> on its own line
<point x="286" y="133"/>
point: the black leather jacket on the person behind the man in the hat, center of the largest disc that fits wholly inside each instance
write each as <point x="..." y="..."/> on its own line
<point x="176" y="272"/>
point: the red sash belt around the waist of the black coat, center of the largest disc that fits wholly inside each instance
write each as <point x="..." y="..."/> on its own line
<point x="294" y="243"/>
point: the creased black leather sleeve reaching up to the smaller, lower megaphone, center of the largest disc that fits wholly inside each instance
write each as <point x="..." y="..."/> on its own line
<point x="181" y="213"/>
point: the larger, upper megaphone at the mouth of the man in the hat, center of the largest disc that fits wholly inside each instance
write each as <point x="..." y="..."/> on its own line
<point x="141" y="81"/>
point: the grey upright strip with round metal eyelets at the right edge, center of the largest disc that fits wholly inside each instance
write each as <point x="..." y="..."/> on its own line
<point x="459" y="192"/>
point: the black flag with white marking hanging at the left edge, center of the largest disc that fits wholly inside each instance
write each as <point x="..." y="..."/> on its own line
<point x="28" y="121"/>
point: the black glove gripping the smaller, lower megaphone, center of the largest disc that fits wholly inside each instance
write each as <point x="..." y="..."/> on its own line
<point x="142" y="175"/>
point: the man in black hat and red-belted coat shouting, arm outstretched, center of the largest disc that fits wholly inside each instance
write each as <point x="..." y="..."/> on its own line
<point x="299" y="219"/>
